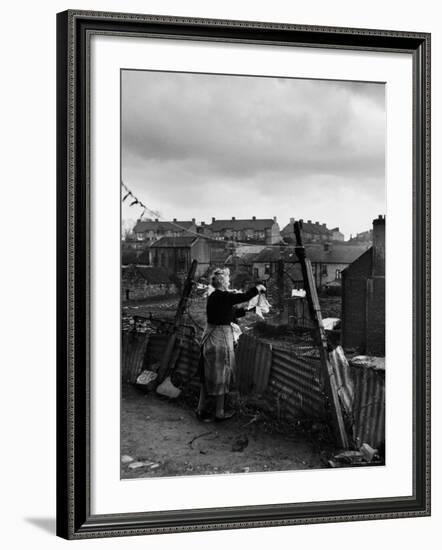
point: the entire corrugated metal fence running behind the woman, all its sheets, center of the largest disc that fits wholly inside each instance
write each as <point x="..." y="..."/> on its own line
<point x="287" y="378"/>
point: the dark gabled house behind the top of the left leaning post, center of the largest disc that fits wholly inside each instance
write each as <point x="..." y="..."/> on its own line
<point x="175" y="254"/>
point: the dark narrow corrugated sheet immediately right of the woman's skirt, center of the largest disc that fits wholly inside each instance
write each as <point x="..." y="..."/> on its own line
<point x="253" y="363"/>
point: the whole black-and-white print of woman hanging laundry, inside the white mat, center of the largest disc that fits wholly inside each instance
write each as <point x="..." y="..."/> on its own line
<point x="253" y="215"/>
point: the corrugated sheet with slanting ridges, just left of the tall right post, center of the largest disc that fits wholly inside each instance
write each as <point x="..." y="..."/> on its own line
<point x="294" y="384"/>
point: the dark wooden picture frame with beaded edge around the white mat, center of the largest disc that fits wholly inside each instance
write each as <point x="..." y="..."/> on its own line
<point x="74" y="519"/>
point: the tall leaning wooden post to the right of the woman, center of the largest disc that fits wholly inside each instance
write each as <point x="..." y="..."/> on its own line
<point x="315" y="312"/>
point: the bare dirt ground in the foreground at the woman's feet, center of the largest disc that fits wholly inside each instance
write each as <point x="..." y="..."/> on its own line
<point x="168" y="439"/>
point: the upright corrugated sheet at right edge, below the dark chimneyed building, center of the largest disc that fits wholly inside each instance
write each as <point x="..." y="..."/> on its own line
<point x="369" y="406"/>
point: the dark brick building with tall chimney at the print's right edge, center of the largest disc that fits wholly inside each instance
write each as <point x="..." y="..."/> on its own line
<point x="363" y="297"/>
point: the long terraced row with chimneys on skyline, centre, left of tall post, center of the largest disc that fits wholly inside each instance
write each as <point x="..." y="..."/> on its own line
<point x="250" y="230"/>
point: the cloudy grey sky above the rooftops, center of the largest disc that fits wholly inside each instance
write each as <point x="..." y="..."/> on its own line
<point x="197" y="146"/>
